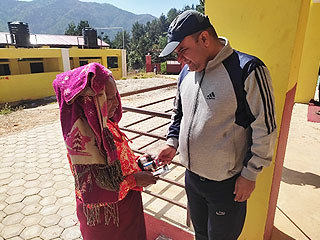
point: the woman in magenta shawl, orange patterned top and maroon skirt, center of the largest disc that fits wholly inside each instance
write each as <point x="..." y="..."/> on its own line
<point x="108" y="181"/>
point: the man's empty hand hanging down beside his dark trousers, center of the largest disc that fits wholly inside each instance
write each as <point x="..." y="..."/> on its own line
<point x="243" y="189"/>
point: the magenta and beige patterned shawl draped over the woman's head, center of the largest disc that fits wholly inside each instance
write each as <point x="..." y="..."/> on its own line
<point x="82" y="97"/>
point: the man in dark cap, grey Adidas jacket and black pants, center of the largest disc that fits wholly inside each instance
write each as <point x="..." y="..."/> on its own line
<point x="223" y="123"/>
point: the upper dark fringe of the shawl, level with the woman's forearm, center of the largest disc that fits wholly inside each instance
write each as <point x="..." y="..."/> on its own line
<point x="106" y="177"/>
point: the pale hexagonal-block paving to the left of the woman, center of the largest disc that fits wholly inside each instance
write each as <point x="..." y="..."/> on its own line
<point x="36" y="188"/>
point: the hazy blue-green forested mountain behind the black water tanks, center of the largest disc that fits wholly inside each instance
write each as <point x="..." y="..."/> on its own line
<point x="53" y="16"/>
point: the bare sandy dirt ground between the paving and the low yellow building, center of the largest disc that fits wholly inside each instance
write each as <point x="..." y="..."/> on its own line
<point x="41" y="112"/>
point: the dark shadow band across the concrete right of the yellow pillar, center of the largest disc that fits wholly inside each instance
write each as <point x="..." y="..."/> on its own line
<point x="298" y="178"/>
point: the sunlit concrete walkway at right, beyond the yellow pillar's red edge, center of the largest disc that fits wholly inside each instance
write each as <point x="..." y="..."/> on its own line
<point x="298" y="208"/>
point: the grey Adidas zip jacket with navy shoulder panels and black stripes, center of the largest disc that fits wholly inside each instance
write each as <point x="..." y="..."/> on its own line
<point x="224" y="120"/>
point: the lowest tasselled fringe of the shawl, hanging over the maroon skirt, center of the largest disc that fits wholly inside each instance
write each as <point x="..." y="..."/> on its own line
<point x="110" y="211"/>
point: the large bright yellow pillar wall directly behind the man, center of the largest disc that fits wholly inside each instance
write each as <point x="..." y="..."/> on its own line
<point x="269" y="30"/>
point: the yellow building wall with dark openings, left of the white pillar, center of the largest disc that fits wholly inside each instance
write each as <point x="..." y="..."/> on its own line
<point x="21" y="84"/>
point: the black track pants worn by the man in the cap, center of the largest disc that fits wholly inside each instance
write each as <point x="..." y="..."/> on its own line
<point x="214" y="213"/>
